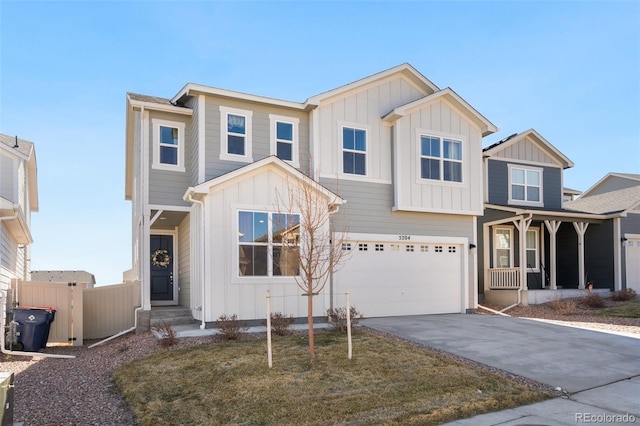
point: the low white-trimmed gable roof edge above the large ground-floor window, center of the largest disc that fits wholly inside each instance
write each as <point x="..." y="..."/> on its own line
<point x="271" y="161"/>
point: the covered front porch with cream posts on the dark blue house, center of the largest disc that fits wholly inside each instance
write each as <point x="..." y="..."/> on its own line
<point x="533" y="256"/>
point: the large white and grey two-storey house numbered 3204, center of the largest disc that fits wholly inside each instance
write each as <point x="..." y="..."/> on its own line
<point x="400" y="157"/>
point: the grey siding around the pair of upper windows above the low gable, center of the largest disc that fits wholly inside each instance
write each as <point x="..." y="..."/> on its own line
<point x="261" y="136"/>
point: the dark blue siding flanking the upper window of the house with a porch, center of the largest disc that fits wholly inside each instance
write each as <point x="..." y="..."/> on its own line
<point x="498" y="183"/>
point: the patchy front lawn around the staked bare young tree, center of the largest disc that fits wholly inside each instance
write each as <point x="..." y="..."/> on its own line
<point x="386" y="382"/>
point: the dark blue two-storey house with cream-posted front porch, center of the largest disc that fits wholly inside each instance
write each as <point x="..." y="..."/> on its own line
<point x="532" y="243"/>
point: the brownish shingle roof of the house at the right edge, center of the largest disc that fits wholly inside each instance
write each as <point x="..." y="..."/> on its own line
<point x="617" y="201"/>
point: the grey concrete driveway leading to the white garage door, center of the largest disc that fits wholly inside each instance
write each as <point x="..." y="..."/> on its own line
<point x="599" y="371"/>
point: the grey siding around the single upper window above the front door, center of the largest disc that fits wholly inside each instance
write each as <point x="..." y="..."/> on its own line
<point x="166" y="187"/>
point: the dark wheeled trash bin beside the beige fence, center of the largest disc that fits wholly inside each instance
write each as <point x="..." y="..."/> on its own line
<point x="33" y="326"/>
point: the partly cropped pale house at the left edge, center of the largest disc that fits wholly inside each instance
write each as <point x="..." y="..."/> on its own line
<point x="18" y="198"/>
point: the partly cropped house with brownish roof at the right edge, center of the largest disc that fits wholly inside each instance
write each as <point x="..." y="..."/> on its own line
<point x="618" y="195"/>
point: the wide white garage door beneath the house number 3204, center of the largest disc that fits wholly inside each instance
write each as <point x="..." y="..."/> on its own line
<point x="411" y="277"/>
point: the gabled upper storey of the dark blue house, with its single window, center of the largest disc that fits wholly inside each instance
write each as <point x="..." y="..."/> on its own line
<point x="525" y="170"/>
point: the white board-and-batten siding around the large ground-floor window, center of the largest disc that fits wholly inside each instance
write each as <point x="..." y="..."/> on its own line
<point x="226" y="293"/>
